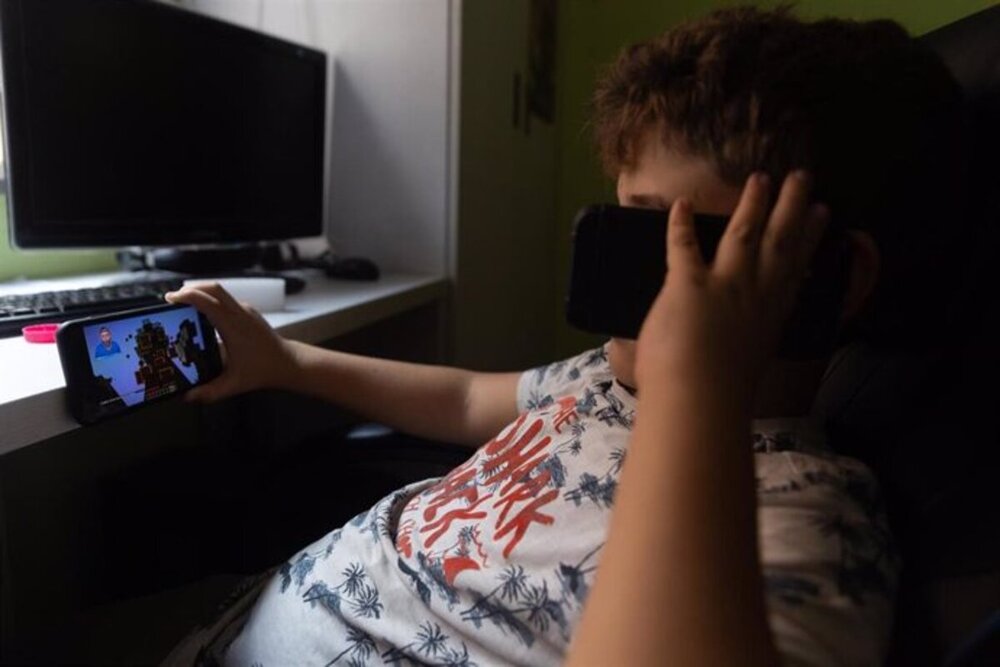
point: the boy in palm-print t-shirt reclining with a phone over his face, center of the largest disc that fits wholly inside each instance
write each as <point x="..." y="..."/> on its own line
<point x="492" y="564"/>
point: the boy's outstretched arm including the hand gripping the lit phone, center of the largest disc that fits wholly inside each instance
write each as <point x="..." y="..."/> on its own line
<point x="435" y="402"/>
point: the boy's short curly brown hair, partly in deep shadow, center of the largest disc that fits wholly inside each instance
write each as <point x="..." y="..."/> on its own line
<point x="872" y="113"/>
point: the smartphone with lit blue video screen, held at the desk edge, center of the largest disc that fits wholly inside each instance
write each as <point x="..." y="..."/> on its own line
<point x="120" y="362"/>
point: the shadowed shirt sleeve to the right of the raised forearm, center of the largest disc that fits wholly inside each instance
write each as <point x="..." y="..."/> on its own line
<point x="830" y="566"/>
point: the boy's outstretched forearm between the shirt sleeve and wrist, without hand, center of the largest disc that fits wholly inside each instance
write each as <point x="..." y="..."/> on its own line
<point x="434" y="402"/>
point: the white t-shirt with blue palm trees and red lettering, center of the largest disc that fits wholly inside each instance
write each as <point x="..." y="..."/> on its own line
<point x="492" y="564"/>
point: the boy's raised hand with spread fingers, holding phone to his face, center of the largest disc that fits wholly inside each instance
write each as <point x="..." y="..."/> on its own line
<point x="721" y="323"/>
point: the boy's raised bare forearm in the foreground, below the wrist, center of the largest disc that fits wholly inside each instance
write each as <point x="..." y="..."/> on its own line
<point x="685" y="517"/>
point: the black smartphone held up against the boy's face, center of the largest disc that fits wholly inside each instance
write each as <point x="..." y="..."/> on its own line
<point x="619" y="264"/>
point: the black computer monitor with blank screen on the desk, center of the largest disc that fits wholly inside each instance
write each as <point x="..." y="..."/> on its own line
<point x="129" y="122"/>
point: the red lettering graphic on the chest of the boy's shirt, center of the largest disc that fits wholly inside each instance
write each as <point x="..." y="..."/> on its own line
<point x="512" y="464"/>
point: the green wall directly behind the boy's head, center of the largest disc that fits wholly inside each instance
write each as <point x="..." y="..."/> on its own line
<point x="591" y="32"/>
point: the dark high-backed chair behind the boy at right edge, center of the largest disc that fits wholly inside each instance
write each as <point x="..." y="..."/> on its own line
<point x="928" y="423"/>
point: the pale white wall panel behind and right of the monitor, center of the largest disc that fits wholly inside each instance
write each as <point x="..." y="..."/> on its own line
<point x="390" y="131"/>
